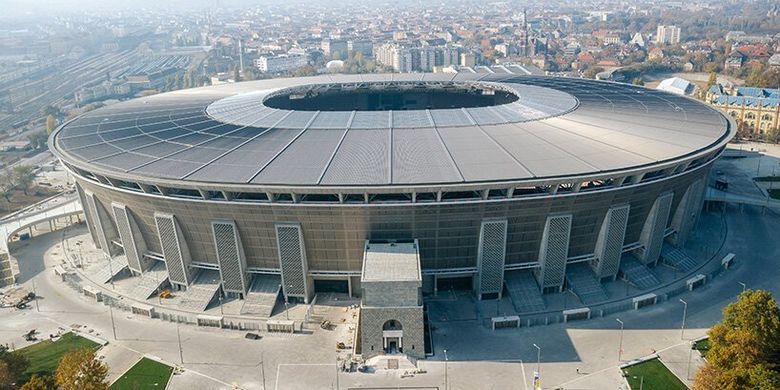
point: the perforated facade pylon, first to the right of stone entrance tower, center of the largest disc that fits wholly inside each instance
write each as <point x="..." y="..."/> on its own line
<point x="491" y="257"/>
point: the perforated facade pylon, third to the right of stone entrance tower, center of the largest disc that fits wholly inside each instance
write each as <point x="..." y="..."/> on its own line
<point x="609" y="245"/>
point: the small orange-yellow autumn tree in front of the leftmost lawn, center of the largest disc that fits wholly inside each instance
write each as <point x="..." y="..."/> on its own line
<point x="79" y="370"/>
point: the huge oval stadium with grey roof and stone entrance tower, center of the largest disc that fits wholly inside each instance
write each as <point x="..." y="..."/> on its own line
<point x="392" y="186"/>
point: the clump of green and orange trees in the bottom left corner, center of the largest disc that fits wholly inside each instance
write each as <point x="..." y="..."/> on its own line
<point x="77" y="370"/>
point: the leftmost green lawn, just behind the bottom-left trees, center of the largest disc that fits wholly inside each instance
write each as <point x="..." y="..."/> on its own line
<point x="45" y="355"/>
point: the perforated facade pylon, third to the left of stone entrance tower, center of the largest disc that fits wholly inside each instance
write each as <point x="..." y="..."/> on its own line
<point x="177" y="256"/>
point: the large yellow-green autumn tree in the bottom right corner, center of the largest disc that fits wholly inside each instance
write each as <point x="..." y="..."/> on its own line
<point x="745" y="347"/>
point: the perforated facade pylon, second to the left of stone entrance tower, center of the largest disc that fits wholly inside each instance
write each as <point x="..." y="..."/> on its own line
<point x="230" y="255"/>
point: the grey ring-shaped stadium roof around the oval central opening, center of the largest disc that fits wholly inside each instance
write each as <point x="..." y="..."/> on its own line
<point x="556" y="127"/>
